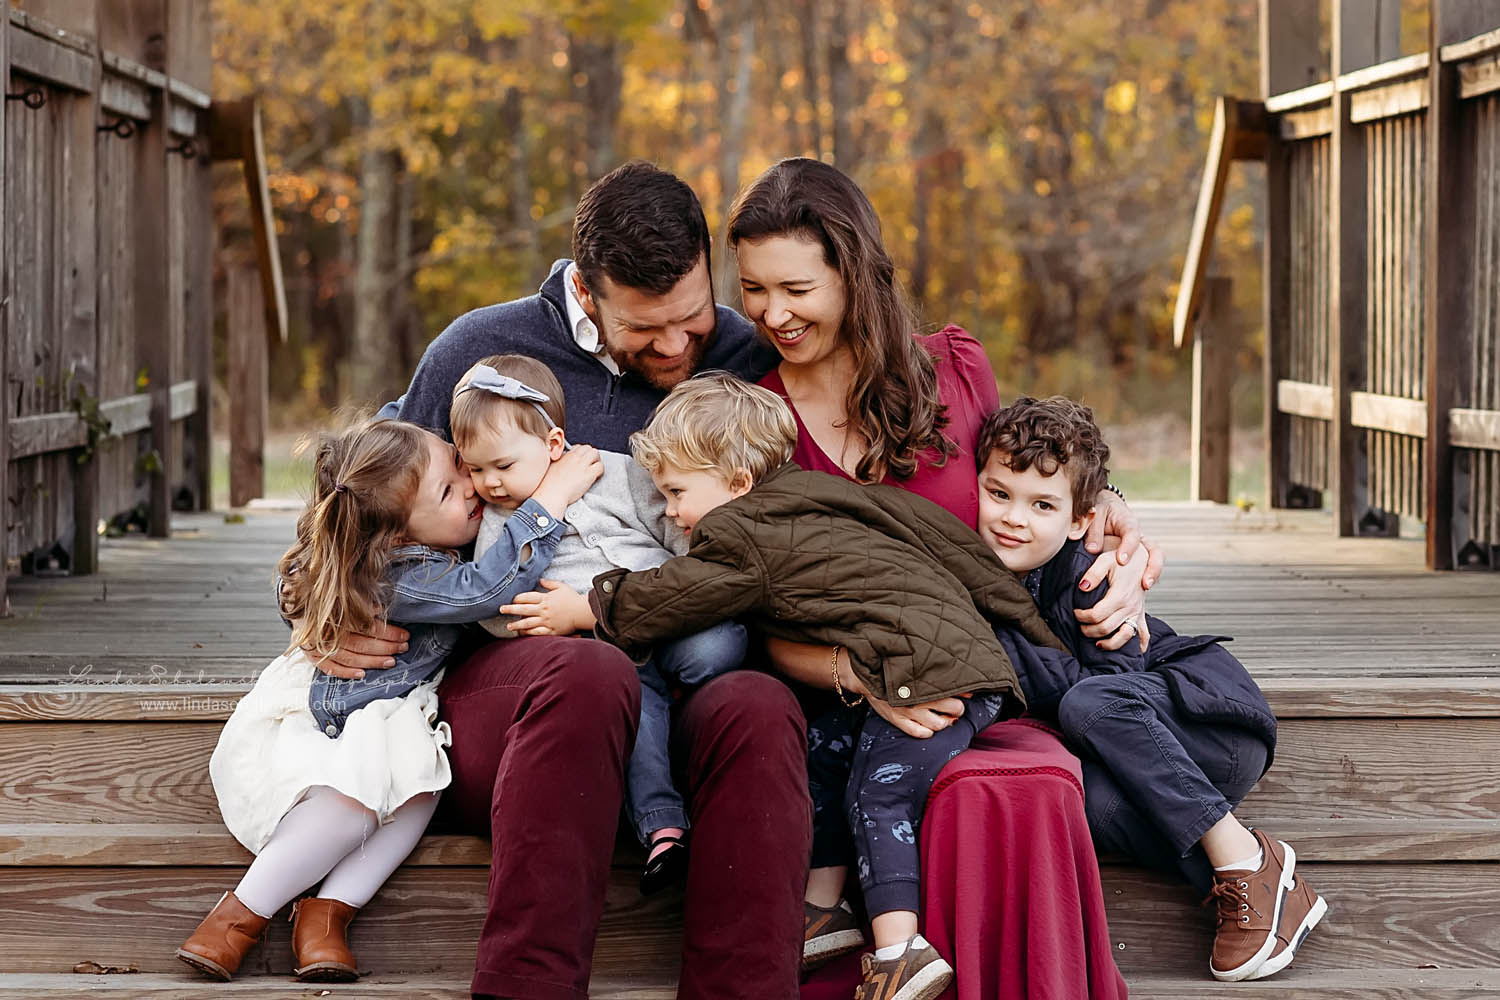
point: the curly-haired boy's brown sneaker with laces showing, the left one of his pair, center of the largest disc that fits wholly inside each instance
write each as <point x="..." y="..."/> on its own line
<point x="1250" y="908"/>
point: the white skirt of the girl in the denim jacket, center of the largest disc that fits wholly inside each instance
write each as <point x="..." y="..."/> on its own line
<point x="272" y="752"/>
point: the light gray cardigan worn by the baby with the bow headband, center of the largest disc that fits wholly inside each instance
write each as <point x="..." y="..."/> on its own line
<point x="620" y="524"/>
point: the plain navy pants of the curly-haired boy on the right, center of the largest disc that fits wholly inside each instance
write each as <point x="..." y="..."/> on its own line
<point x="1154" y="782"/>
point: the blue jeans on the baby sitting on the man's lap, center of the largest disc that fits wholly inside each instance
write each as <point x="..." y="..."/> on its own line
<point x="652" y="800"/>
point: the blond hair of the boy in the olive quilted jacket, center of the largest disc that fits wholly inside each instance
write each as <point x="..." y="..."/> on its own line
<point x="718" y="424"/>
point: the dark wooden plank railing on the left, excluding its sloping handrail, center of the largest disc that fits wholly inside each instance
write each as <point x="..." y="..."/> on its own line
<point x="106" y="272"/>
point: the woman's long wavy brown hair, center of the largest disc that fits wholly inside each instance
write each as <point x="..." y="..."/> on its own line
<point x="893" y="403"/>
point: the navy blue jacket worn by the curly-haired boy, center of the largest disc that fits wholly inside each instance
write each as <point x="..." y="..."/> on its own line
<point x="1207" y="683"/>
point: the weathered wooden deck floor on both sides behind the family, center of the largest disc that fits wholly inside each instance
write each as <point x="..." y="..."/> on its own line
<point x="1300" y="602"/>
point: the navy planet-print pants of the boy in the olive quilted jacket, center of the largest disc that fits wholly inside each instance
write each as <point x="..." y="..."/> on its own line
<point x="883" y="777"/>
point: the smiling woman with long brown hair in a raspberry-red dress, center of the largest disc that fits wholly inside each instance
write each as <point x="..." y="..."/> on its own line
<point x="877" y="403"/>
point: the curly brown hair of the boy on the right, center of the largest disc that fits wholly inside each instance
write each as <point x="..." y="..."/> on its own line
<point x="1049" y="434"/>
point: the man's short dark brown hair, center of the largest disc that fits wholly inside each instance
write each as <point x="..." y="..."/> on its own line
<point x="641" y="227"/>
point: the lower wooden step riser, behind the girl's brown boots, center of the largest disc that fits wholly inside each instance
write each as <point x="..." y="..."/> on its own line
<point x="1382" y="917"/>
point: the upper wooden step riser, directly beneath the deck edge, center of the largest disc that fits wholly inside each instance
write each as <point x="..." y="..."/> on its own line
<point x="1423" y="770"/>
